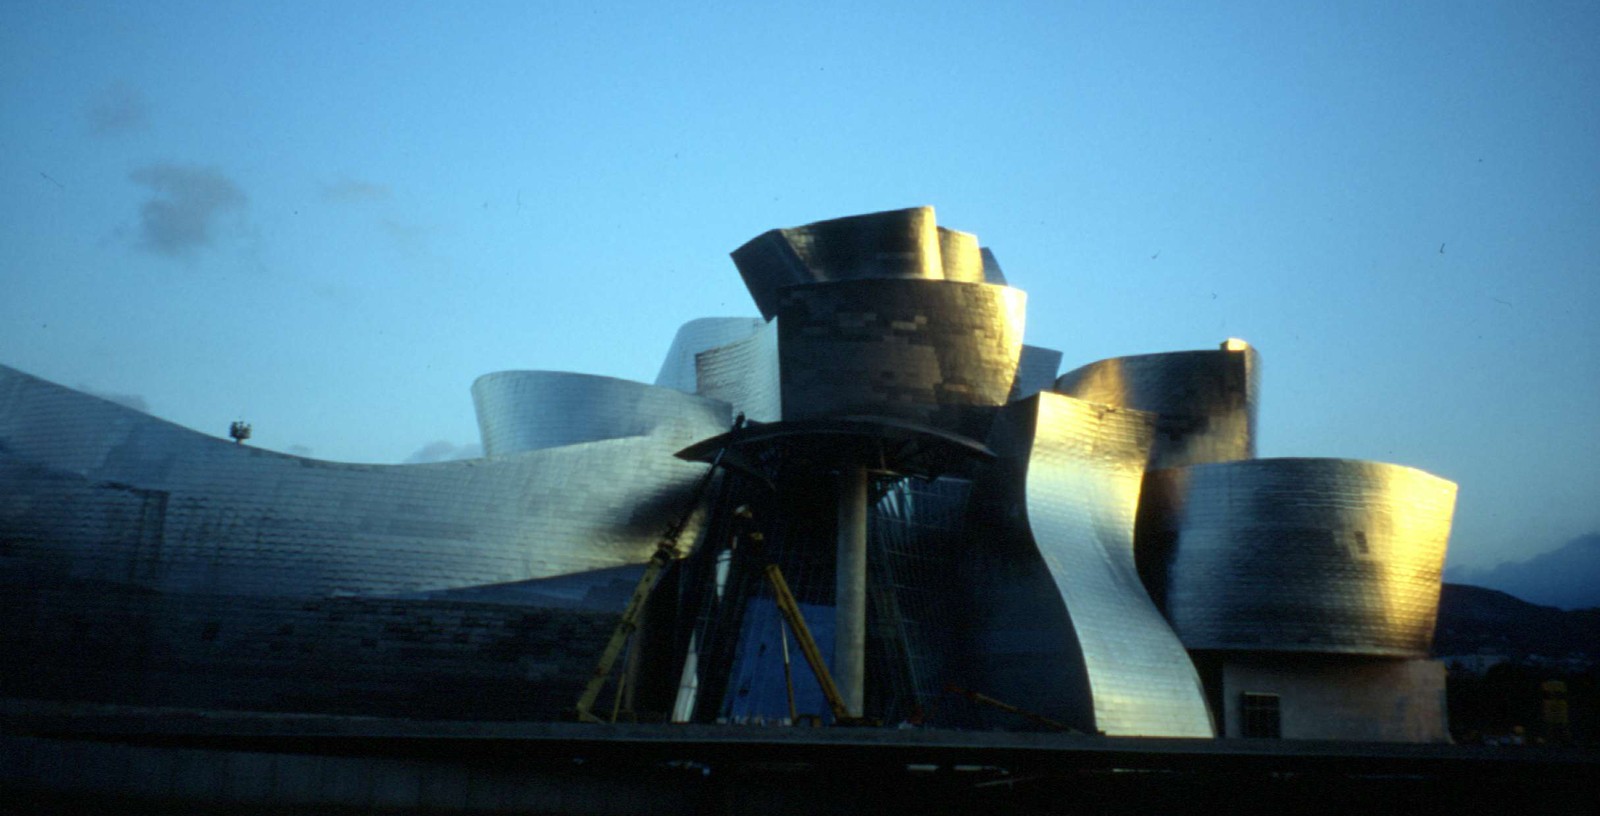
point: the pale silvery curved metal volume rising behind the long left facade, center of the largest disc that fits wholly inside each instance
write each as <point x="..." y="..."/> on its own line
<point x="535" y="410"/>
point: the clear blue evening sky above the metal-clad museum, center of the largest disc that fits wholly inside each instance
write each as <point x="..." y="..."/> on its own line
<point x="330" y="218"/>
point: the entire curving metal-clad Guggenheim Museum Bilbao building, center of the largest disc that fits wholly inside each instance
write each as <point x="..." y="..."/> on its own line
<point x="958" y="521"/>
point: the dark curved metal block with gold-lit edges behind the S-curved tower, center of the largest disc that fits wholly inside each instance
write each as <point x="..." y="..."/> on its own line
<point x="1206" y="401"/>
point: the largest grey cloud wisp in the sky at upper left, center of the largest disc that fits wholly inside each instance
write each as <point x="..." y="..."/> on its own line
<point x="185" y="206"/>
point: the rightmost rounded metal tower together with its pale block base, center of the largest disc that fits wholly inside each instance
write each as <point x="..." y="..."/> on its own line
<point x="1306" y="591"/>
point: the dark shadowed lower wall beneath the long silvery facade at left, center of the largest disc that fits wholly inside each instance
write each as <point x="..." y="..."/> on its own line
<point x="370" y="657"/>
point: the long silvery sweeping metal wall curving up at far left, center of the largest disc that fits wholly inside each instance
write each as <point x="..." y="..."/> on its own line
<point x="94" y="490"/>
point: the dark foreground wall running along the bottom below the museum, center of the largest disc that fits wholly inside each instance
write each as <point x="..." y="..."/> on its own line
<point x="126" y="762"/>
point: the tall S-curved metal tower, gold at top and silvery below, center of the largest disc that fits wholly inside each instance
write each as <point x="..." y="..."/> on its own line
<point x="1081" y="494"/>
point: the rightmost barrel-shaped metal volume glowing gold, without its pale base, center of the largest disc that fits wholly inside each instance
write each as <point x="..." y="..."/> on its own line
<point x="1327" y="556"/>
